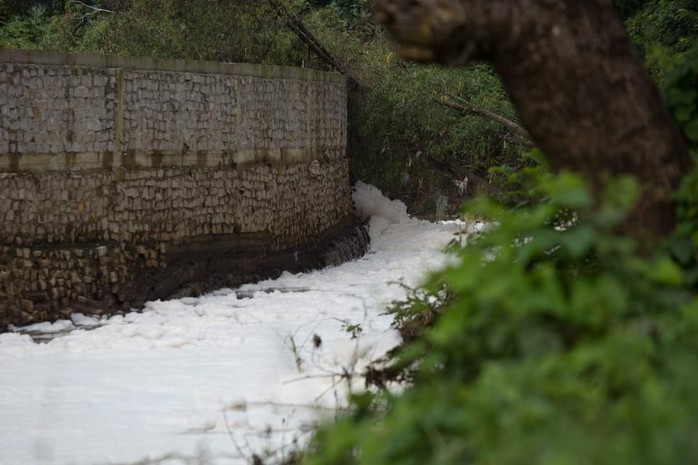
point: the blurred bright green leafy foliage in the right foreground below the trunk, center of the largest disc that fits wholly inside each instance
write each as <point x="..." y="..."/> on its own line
<point x="554" y="342"/>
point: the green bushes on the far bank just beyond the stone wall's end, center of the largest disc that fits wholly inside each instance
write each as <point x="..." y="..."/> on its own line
<point x="401" y="138"/>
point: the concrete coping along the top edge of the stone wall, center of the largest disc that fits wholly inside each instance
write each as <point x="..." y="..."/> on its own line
<point x="42" y="57"/>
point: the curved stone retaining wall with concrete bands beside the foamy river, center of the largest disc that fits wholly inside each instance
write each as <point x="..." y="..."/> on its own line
<point x="125" y="179"/>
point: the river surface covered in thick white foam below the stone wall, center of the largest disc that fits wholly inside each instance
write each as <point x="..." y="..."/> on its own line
<point x="212" y="379"/>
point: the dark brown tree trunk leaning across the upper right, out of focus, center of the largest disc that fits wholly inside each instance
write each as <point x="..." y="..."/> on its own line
<point x="581" y="91"/>
